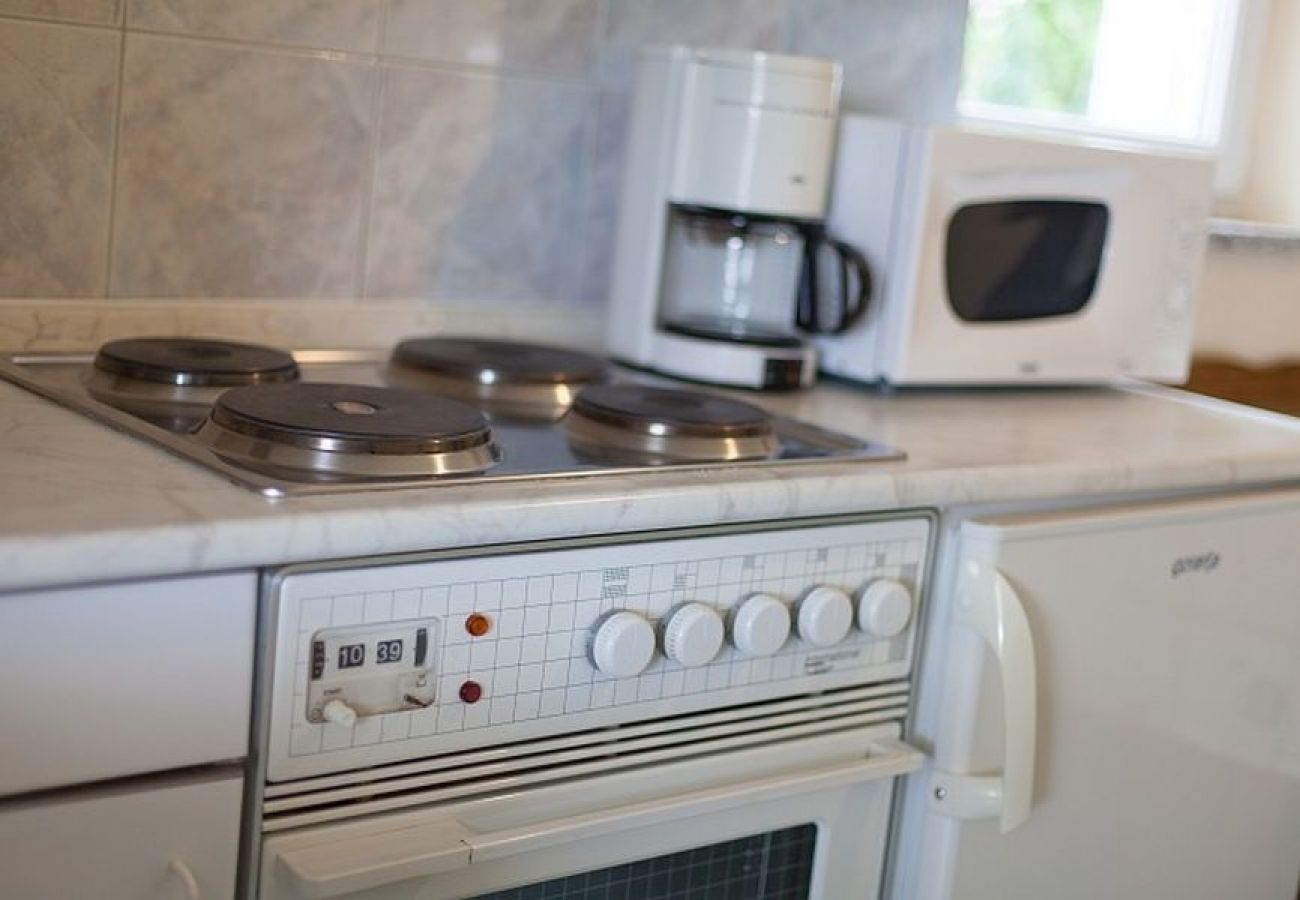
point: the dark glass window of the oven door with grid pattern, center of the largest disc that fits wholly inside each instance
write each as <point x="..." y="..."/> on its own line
<point x="777" y="866"/>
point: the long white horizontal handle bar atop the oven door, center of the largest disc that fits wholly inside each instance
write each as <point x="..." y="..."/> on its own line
<point x="367" y="862"/>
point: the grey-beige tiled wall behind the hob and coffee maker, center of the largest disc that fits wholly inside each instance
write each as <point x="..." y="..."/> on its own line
<point x="246" y="165"/>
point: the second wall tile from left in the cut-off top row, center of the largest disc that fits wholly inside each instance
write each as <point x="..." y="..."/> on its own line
<point x="350" y="25"/>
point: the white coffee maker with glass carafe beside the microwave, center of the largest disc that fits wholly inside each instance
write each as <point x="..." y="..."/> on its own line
<point x="721" y="263"/>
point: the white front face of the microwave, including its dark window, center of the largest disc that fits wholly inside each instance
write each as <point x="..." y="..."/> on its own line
<point x="1047" y="263"/>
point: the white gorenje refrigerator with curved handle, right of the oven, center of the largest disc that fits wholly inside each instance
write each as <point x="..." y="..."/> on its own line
<point x="1111" y="704"/>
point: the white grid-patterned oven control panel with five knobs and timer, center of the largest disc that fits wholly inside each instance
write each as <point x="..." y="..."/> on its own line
<point x="392" y="663"/>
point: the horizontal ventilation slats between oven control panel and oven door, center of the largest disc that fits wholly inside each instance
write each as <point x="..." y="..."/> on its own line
<point x="512" y="767"/>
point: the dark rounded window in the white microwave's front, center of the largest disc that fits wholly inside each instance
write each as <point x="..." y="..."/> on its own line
<point x="1024" y="259"/>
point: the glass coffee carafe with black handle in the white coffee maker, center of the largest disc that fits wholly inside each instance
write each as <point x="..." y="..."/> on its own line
<point x="757" y="280"/>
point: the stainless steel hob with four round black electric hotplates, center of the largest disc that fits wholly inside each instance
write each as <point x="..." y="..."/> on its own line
<point x="362" y="421"/>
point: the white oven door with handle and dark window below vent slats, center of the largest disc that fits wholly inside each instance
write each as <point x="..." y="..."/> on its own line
<point x="792" y="820"/>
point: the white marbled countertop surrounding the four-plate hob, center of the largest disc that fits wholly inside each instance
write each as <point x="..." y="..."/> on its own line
<point x="81" y="503"/>
